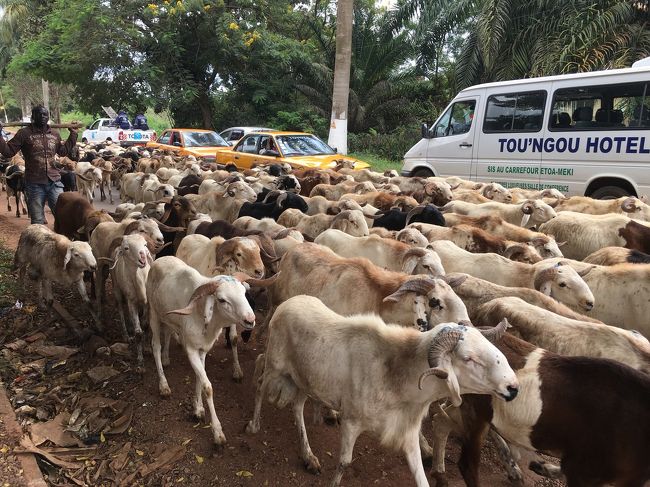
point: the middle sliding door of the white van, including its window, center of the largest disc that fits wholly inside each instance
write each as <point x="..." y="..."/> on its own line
<point x="511" y="131"/>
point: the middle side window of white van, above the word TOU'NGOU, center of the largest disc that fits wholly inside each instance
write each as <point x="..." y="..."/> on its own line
<point x="515" y="112"/>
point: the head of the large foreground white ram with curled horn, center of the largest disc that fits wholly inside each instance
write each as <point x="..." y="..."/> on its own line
<point x="475" y="365"/>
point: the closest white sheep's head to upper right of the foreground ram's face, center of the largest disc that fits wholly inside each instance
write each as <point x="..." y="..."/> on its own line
<point x="565" y="284"/>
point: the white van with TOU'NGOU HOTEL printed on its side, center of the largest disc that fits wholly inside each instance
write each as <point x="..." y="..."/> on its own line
<point x="583" y="134"/>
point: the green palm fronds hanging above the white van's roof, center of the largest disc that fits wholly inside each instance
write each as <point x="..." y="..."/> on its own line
<point x="509" y="39"/>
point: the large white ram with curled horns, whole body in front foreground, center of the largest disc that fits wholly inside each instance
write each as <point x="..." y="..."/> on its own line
<point x="341" y="362"/>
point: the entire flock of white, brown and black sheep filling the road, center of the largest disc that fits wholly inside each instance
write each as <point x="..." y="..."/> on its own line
<point x="383" y="293"/>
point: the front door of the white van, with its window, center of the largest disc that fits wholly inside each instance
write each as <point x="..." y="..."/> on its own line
<point x="451" y="149"/>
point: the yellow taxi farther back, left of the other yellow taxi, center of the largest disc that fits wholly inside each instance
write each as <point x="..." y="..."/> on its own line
<point x="191" y="142"/>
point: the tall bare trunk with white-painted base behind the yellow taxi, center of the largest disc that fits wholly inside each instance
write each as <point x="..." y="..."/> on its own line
<point x="338" y="136"/>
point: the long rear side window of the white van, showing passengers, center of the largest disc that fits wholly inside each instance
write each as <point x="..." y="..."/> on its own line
<point x="604" y="107"/>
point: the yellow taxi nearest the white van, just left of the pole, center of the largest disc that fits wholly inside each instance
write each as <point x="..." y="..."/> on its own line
<point x="299" y="149"/>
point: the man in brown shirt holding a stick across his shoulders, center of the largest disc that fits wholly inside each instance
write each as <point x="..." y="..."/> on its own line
<point x="40" y="145"/>
